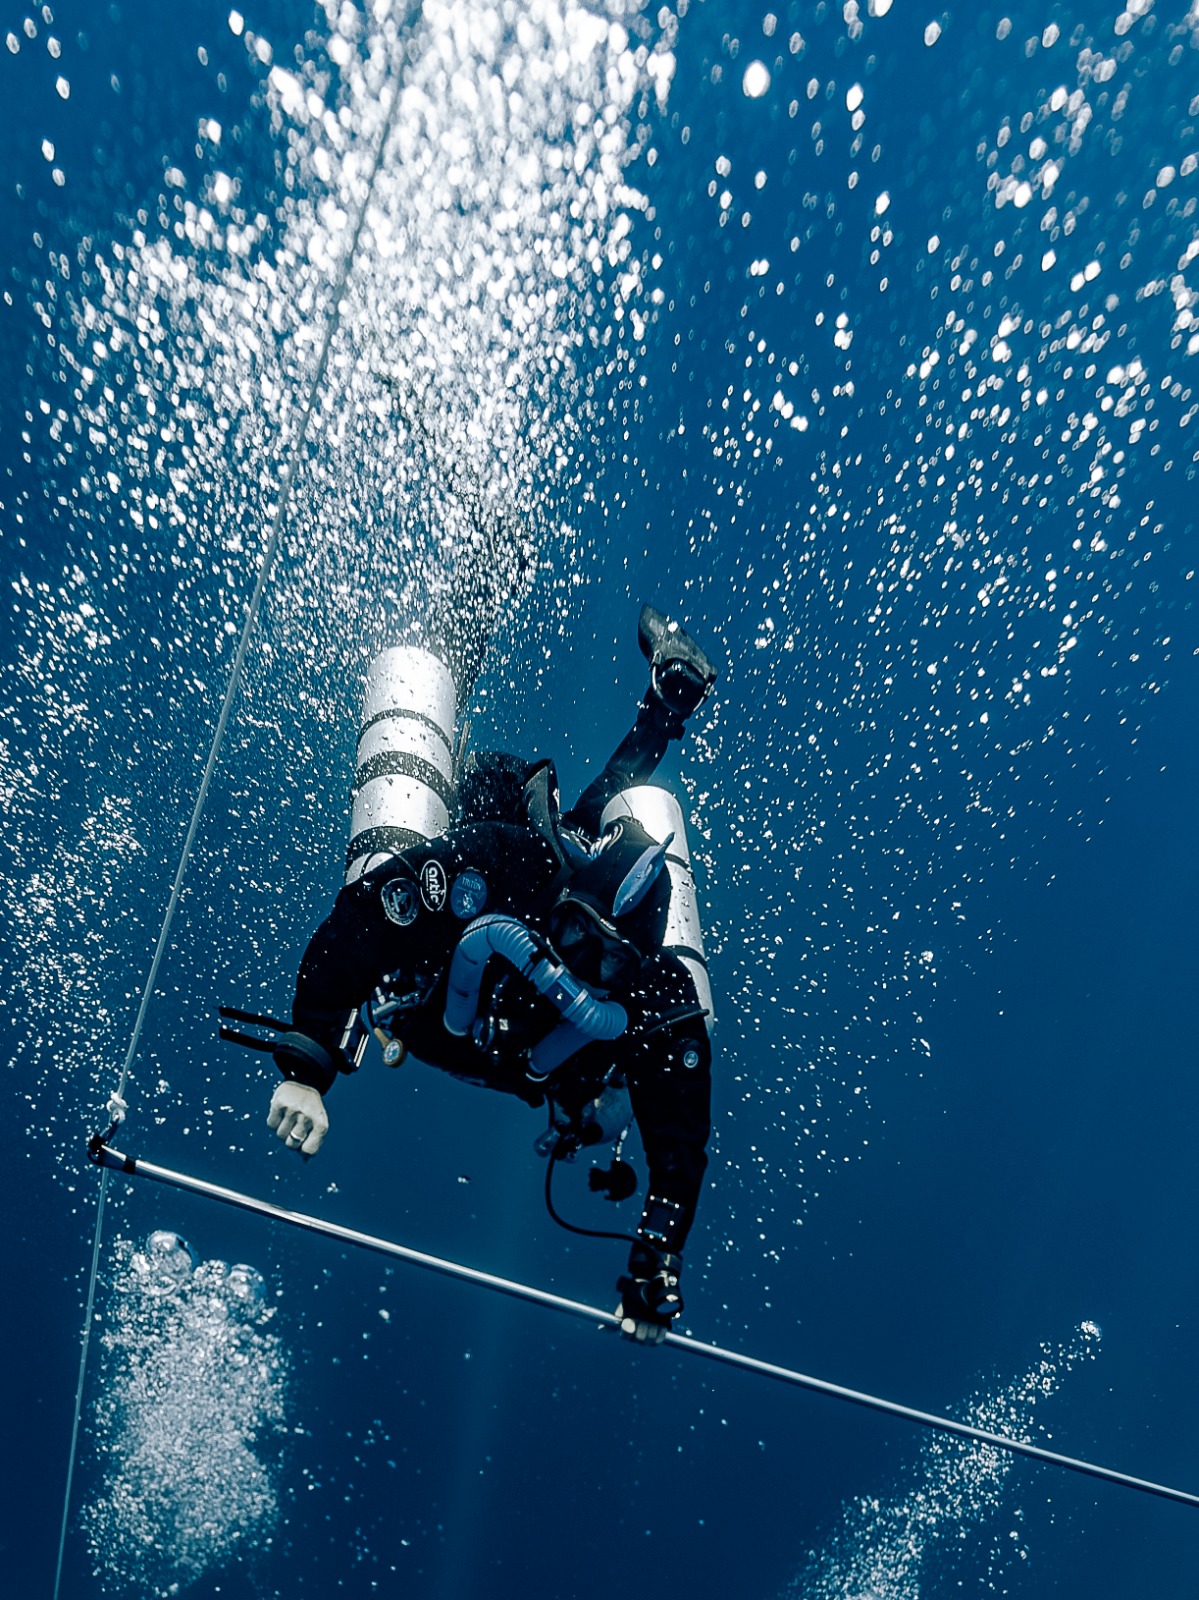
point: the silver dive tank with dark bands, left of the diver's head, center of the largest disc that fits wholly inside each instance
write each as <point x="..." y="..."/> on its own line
<point x="404" y="772"/>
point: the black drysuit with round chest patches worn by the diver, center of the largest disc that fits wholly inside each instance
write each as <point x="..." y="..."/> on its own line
<point x="664" y="1052"/>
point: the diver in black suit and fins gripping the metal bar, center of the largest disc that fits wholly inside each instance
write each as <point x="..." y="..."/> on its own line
<point x="595" y="902"/>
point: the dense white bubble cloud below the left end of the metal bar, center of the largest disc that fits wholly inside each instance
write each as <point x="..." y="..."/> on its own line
<point x="193" y="1396"/>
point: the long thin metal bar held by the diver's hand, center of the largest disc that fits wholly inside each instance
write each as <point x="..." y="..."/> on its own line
<point x="105" y="1156"/>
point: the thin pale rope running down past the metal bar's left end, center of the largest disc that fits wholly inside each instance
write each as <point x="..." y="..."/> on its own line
<point x="265" y="574"/>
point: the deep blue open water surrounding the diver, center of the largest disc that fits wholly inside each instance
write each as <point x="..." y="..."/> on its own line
<point x="945" y="846"/>
